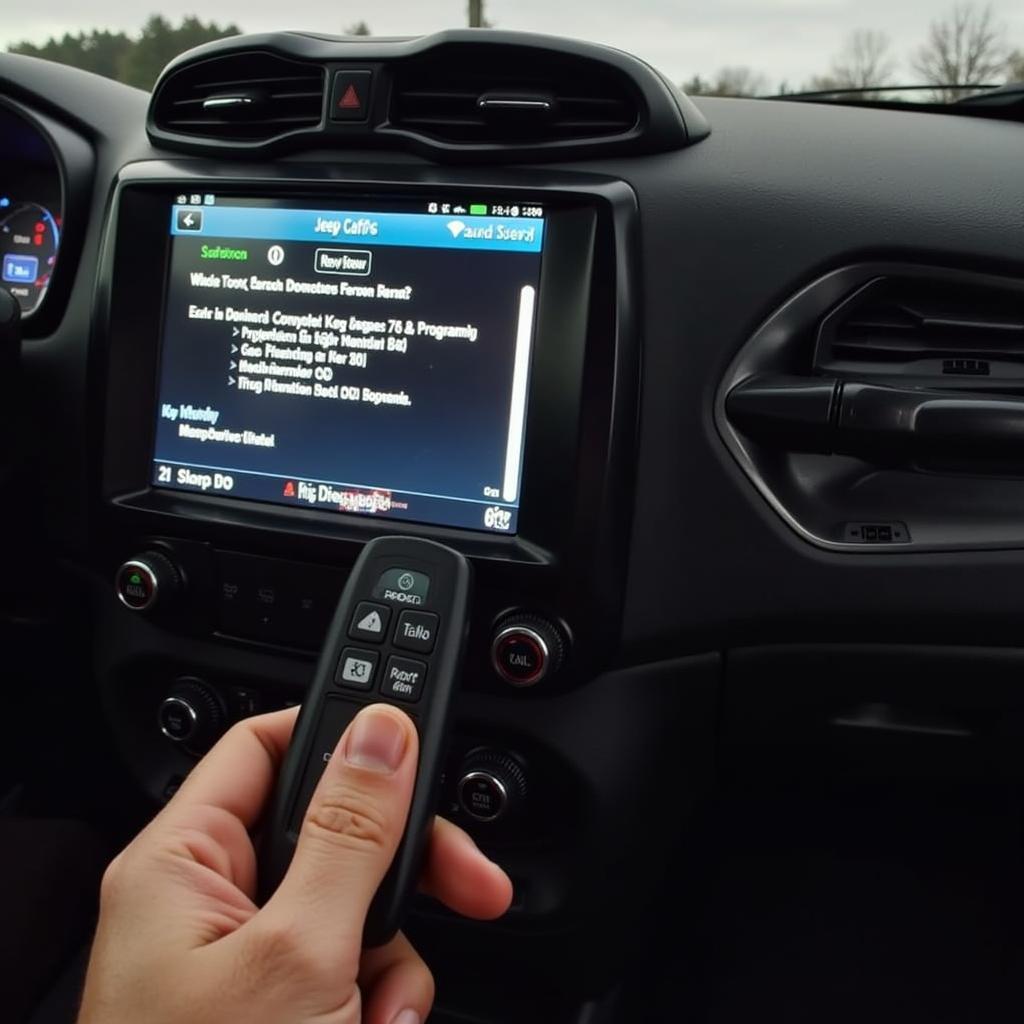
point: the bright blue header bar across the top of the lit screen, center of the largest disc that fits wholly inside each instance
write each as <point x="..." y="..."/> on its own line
<point x="428" y="231"/>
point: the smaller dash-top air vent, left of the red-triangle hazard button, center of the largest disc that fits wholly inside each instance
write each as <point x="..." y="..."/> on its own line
<point x="242" y="98"/>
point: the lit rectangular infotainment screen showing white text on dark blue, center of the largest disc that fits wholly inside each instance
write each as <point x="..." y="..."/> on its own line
<point x="366" y="358"/>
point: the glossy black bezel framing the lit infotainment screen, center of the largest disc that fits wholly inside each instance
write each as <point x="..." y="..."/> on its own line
<point x="561" y="480"/>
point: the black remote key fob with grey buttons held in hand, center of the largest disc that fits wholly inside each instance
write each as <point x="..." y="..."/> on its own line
<point x="399" y="636"/>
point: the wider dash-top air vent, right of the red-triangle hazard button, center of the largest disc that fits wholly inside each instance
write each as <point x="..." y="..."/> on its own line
<point x="468" y="96"/>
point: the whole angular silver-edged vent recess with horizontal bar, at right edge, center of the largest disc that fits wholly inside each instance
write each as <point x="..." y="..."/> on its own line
<point x="906" y="432"/>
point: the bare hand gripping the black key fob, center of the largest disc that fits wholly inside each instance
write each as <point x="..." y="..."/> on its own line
<point x="182" y="942"/>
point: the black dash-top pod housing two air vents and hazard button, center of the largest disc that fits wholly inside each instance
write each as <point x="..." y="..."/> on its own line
<point x="465" y="95"/>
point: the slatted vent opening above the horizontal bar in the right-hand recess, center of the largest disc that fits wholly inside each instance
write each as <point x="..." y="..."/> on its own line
<point x="918" y="328"/>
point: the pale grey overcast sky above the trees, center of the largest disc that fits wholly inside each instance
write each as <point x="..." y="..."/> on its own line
<point x="788" y="40"/>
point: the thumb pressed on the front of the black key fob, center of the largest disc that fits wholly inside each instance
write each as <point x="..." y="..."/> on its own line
<point x="350" y="835"/>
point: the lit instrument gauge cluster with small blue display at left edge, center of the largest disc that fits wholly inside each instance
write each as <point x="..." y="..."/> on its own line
<point x="31" y="211"/>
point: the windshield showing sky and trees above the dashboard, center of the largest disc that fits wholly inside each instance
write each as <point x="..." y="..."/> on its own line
<point x="732" y="48"/>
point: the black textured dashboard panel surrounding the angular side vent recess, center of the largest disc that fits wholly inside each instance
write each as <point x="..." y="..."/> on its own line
<point x="780" y="194"/>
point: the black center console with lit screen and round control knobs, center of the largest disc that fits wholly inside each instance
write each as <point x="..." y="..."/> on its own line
<point x="297" y="360"/>
